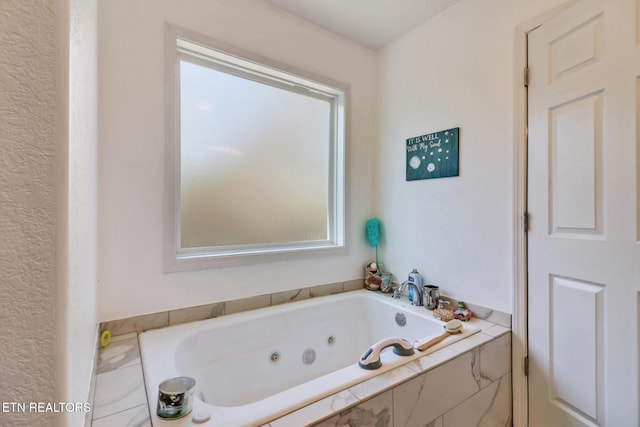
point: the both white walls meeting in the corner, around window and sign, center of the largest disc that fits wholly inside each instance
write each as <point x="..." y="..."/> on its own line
<point x="455" y="71"/>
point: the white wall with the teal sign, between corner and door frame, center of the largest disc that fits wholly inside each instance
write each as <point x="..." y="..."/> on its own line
<point x="455" y="71"/>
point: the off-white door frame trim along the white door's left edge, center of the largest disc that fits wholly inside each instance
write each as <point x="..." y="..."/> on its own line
<point x="519" y="341"/>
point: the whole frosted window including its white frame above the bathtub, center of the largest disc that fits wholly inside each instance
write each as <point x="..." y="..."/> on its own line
<point x="255" y="158"/>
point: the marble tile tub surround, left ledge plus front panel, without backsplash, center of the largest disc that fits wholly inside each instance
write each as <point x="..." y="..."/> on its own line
<point x="467" y="383"/>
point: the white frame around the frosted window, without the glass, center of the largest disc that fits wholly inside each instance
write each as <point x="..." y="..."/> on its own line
<point x="182" y="44"/>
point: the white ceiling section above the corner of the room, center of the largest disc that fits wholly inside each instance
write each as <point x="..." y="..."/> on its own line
<point x="370" y="23"/>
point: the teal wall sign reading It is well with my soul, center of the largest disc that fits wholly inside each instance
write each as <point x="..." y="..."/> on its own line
<point x="434" y="155"/>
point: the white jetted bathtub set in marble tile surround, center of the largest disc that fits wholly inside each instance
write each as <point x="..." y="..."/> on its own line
<point x="253" y="367"/>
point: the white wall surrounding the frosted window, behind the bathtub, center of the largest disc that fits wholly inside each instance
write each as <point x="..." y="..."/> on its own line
<point x="131" y="150"/>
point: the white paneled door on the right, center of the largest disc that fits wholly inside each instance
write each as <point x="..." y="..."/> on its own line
<point x="583" y="241"/>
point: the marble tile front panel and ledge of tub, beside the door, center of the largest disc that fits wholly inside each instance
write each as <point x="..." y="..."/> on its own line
<point x="467" y="383"/>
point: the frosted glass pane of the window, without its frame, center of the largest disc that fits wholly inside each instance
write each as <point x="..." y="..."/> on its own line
<point x="254" y="161"/>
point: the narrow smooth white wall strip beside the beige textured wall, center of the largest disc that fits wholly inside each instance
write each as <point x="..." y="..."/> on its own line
<point x="77" y="204"/>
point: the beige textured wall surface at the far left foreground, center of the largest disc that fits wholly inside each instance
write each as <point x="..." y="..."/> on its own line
<point x="27" y="206"/>
